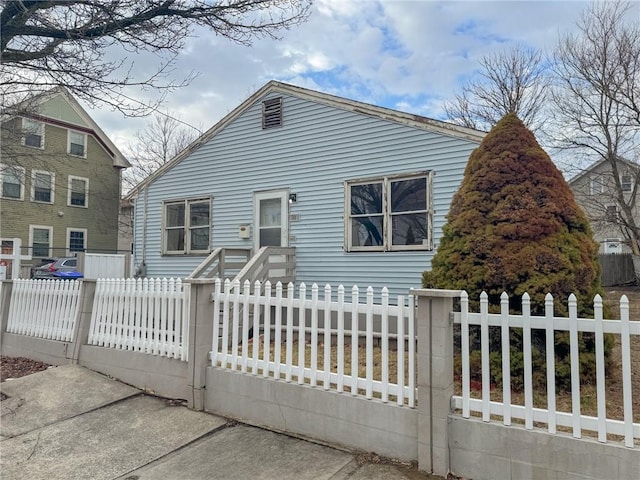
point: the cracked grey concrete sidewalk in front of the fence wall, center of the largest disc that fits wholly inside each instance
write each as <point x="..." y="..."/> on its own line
<point x="71" y="423"/>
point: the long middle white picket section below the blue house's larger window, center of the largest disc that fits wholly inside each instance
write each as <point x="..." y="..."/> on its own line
<point x="237" y="311"/>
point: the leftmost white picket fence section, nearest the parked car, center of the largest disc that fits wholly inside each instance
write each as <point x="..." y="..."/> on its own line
<point x="44" y="308"/>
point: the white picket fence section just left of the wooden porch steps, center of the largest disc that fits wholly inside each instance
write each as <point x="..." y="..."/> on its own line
<point x="148" y="315"/>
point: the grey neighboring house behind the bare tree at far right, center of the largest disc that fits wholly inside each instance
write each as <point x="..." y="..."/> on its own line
<point x="596" y="193"/>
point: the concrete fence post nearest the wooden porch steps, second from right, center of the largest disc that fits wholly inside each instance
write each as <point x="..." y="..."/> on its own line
<point x="200" y="338"/>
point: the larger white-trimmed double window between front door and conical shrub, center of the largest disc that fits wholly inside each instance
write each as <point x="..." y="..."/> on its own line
<point x="389" y="213"/>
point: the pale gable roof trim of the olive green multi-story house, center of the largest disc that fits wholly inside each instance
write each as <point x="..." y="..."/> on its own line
<point x="90" y="126"/>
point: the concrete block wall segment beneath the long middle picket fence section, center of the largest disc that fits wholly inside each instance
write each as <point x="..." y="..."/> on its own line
<point x="329" y="416"/>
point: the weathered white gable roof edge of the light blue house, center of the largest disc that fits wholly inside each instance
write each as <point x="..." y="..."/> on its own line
<point x="274" y="86"/>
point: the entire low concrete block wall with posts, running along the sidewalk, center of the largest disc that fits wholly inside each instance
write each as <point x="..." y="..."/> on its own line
<point x="440" y="441"/>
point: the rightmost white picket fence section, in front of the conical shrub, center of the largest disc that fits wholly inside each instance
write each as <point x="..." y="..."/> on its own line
<point x="550" y="416"/>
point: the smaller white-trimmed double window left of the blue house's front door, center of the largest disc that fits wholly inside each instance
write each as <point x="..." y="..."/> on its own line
<point x="187" y="226"/>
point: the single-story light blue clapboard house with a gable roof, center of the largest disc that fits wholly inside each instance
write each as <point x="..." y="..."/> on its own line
<point x="360" y="191"/>
